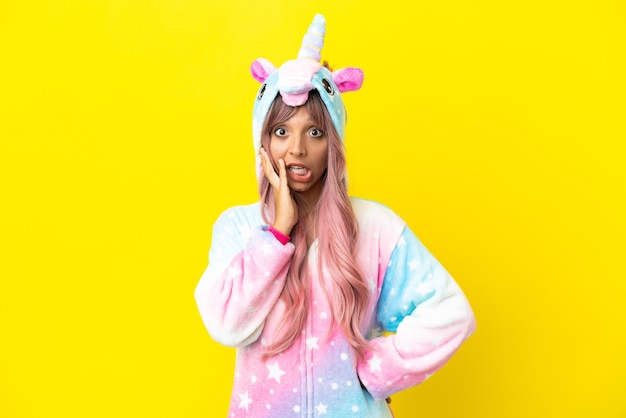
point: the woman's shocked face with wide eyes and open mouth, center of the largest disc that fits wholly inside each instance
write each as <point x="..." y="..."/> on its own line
<point x="302" y="144"/>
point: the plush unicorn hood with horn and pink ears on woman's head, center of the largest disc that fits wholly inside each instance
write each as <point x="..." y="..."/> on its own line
<point x="295" y="78"/>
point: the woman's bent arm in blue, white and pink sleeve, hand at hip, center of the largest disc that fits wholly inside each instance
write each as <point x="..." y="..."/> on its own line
<point x="428" y="315"/>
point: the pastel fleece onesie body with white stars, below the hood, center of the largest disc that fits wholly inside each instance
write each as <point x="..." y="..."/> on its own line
<point x="413" y="298"/>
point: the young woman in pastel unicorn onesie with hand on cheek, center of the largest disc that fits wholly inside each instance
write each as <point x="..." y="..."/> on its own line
<point x="332" y="302"/>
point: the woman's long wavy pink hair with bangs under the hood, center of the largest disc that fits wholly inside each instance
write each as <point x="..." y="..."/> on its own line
<point x="336" y="228"/>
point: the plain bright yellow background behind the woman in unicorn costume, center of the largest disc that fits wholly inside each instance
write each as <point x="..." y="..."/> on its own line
<point x="494" y="128"/>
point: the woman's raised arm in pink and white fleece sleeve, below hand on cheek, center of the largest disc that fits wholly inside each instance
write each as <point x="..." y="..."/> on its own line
<point x="246" y="274"/>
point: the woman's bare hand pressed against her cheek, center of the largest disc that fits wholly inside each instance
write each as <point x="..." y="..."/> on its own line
<point x="286" y="209"/>
